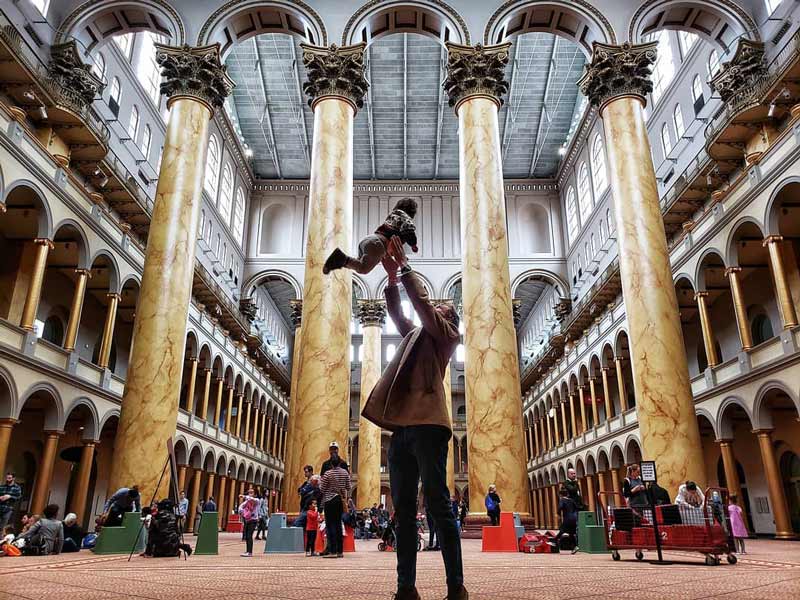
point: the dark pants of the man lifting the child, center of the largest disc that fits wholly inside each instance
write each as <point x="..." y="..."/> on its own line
<point x="420" y="452"/>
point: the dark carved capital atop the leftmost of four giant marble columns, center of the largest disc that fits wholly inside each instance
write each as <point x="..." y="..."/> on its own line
<point x="194" y="72"/>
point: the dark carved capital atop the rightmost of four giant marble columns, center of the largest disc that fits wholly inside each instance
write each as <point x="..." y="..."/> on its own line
<point x="616" y="71"/>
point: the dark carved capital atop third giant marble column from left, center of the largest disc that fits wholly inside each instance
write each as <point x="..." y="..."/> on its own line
<point x="476" y="71"/>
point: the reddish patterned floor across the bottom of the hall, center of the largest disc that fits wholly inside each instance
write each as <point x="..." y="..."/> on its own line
<point x="770" y="570"/>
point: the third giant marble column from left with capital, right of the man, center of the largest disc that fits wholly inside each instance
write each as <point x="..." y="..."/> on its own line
<point x="475" y="87"/>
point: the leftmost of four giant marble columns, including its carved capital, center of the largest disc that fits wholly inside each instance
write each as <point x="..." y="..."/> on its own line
<point x="196" y="84"/>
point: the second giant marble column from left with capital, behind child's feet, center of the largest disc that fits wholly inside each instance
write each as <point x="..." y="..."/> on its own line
<point x="336" y="86"/>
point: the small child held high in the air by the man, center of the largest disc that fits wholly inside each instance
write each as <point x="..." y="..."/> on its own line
<point x="372" y="248"/>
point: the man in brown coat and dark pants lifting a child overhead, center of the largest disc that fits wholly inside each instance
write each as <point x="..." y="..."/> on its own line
<point x="409" y="400"/>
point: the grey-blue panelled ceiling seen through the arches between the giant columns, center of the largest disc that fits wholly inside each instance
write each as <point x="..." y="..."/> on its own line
<point x="405" y="130"/>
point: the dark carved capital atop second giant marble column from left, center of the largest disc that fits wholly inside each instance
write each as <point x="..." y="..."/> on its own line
<point x="335" y="72"/>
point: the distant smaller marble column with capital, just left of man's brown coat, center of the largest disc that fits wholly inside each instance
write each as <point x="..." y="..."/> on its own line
<point x="371" y="315"/>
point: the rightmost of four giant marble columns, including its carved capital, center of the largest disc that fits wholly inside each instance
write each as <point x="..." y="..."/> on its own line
<point x="617" y="81"/>
